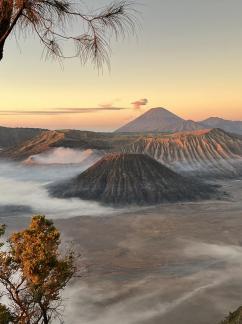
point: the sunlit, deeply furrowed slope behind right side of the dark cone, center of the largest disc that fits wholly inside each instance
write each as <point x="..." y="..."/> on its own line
<point x="205" y="152"/>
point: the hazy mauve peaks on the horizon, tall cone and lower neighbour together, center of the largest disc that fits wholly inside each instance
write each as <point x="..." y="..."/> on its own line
<point x="161" y="120"/>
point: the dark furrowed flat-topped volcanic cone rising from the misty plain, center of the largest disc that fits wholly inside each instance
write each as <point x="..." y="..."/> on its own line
<point x="125" y="179"/>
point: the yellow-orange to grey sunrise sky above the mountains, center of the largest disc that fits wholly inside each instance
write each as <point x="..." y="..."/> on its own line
<point x="186" y="57"/>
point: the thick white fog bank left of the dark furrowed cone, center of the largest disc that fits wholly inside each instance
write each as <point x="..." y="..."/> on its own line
<point x="23" y="186"/>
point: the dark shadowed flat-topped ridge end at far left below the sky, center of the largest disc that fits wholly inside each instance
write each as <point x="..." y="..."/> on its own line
<point x="15" y="136"/>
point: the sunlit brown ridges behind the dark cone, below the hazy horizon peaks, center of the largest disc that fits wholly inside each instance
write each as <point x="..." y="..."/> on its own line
<point x="205" y="153"/>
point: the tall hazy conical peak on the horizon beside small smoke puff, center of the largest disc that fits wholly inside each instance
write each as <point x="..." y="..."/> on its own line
<point x="159" y="120"/>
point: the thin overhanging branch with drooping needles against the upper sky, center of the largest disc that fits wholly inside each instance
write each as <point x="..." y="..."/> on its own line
<point x="51" y="20"/>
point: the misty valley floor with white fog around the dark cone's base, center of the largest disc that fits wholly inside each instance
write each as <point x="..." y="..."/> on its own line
<point x="179" y="263"/>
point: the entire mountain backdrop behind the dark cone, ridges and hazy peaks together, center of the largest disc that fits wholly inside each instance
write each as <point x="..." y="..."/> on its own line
<point x="184" y="146"/>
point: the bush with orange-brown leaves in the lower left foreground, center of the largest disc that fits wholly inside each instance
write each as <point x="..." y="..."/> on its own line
<point x="33" y="274"/>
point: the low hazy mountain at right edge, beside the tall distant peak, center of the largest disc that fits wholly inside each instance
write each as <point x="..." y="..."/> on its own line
<point x="227" y="125"/>
